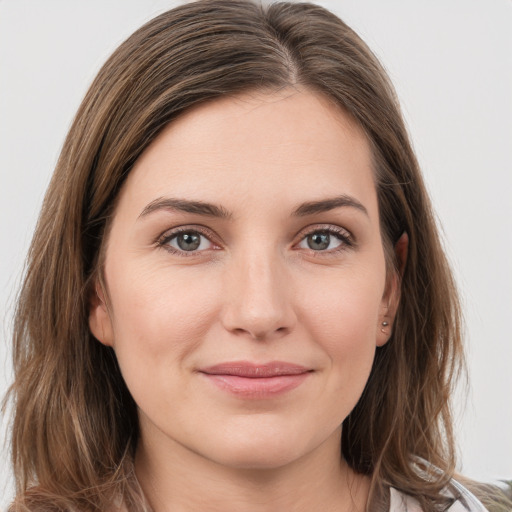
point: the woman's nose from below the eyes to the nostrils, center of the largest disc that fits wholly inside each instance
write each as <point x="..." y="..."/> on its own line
<point x="258" y="297"/>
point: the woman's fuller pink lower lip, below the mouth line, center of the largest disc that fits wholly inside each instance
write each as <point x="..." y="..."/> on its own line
<point x="257" y="388"/>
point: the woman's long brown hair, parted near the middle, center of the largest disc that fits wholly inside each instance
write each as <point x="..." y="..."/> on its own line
<point x="75" y="426"/>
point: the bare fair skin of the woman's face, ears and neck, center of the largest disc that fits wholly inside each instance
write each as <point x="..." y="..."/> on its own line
<point x="254" y="290"/>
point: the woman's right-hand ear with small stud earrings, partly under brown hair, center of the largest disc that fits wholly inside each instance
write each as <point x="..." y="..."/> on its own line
<point x="391" y="297"/>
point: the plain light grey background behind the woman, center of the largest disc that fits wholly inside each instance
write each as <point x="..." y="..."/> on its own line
<point x="451" y="62"/>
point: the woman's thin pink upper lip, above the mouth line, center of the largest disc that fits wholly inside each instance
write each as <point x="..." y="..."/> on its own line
<point x="253" y="370"/>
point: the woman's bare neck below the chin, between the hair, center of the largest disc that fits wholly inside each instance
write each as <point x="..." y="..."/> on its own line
<point x="178" y="480"/>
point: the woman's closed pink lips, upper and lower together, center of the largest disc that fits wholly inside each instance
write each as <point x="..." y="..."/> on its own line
<point x="258" y="381"/>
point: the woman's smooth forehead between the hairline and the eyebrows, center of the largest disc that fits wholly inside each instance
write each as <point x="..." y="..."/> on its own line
<point x="288" y="146"/>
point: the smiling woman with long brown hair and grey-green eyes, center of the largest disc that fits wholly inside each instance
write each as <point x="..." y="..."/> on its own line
<point x="236" y="296"/>
